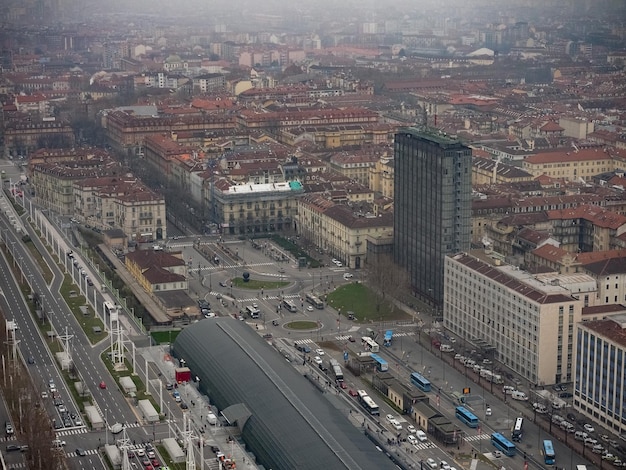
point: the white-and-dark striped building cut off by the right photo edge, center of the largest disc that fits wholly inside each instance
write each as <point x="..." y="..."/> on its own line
<point x="599" y="391"/>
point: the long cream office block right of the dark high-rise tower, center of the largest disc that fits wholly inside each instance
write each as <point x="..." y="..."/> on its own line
<point x="528" y="321"/>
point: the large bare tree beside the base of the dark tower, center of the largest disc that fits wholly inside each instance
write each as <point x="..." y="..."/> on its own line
<point x="386" y="281"/>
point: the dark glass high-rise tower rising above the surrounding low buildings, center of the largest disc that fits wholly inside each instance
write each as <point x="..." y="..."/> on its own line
<point x="433" y="183"/>
